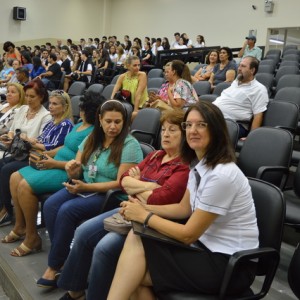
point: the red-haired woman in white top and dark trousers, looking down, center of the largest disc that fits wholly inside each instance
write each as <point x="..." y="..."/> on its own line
<point x="31" y="120"/>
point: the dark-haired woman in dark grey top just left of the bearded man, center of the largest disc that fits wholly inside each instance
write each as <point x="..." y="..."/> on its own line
<point x="225" y="71"/>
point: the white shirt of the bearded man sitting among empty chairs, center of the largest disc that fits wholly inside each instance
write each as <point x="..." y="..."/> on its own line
<point x="241" y="102"/>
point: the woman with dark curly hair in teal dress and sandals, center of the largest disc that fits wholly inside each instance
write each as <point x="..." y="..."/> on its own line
<point x="28" y="183"/>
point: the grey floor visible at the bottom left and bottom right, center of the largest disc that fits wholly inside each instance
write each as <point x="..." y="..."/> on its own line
<point x="18" y="275"/>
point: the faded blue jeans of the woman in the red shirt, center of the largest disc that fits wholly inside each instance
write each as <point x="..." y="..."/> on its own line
<point x="93" y="258"/>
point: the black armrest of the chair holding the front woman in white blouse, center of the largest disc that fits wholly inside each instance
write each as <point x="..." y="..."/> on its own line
<point x="270" y="254"/>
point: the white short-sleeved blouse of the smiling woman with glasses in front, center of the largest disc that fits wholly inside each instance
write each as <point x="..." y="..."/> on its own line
<point x="225" y="191"/>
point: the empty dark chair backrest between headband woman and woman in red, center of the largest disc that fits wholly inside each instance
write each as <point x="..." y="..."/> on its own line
<point x="145" y="126"/>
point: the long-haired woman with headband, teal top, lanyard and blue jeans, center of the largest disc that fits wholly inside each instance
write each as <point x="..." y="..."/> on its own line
<point x="103" y="157"/>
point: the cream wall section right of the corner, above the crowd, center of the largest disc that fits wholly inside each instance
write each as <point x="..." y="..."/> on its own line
<point x="221" y="22"/>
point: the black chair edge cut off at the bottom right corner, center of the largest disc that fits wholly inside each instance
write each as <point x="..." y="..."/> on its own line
<point x="294" y="272"/>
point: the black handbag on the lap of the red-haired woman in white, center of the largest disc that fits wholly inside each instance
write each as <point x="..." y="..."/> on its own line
<point x="19" y="148"/>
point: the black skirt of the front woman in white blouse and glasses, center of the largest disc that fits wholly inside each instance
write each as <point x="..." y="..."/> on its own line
<point x="182" y="269"/>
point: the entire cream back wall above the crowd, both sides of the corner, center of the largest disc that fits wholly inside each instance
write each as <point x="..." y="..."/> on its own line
<point x="221" y="22"/>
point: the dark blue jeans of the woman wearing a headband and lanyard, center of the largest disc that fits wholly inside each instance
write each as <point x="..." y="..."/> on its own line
<point x="63" y="212"/>
